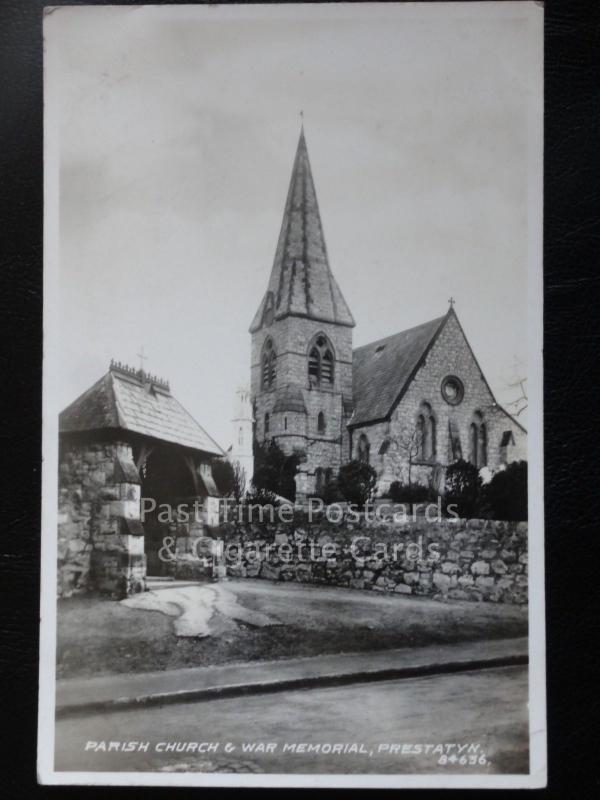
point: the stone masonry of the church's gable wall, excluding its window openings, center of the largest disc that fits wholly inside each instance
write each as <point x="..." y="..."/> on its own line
<point x="450" y="355"/>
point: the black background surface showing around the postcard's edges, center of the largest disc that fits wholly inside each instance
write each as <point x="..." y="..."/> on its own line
<point x="571" y="297"/>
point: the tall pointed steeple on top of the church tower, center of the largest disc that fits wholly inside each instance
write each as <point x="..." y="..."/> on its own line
<point x="301" y="282"/>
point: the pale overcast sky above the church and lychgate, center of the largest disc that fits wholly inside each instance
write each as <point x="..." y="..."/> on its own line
<point x="177" y="132"/>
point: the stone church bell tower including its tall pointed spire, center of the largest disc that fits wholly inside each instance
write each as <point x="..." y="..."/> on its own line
<point x="301" y="384"/>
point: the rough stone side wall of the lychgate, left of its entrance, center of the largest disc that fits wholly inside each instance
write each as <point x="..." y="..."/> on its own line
<point x="100" y="539"/>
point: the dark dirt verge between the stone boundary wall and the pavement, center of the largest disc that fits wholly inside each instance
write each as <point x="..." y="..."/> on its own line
<point x="97" y="636"/>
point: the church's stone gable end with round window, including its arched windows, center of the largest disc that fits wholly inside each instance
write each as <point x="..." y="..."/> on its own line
<point x="444" y="412"/>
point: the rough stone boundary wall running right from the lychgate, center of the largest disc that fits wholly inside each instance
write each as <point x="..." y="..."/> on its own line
<point x="479" y="560"/>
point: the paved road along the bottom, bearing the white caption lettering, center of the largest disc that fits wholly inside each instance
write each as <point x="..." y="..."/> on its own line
<point x="485" y="709"/>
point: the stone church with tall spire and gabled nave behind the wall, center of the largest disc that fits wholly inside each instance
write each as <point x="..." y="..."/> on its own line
<point x="409" y="404"/>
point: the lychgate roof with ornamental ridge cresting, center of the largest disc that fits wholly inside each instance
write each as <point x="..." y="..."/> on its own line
<point x="128" y="400"/>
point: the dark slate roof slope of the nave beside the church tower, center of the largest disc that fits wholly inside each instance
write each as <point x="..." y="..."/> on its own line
<point x="382" y="370"/>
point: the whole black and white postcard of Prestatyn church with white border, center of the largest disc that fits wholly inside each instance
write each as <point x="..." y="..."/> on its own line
<point x="292" y="515"/>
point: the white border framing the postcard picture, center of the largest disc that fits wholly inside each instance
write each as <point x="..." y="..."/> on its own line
<point x="532" y="14"/>
